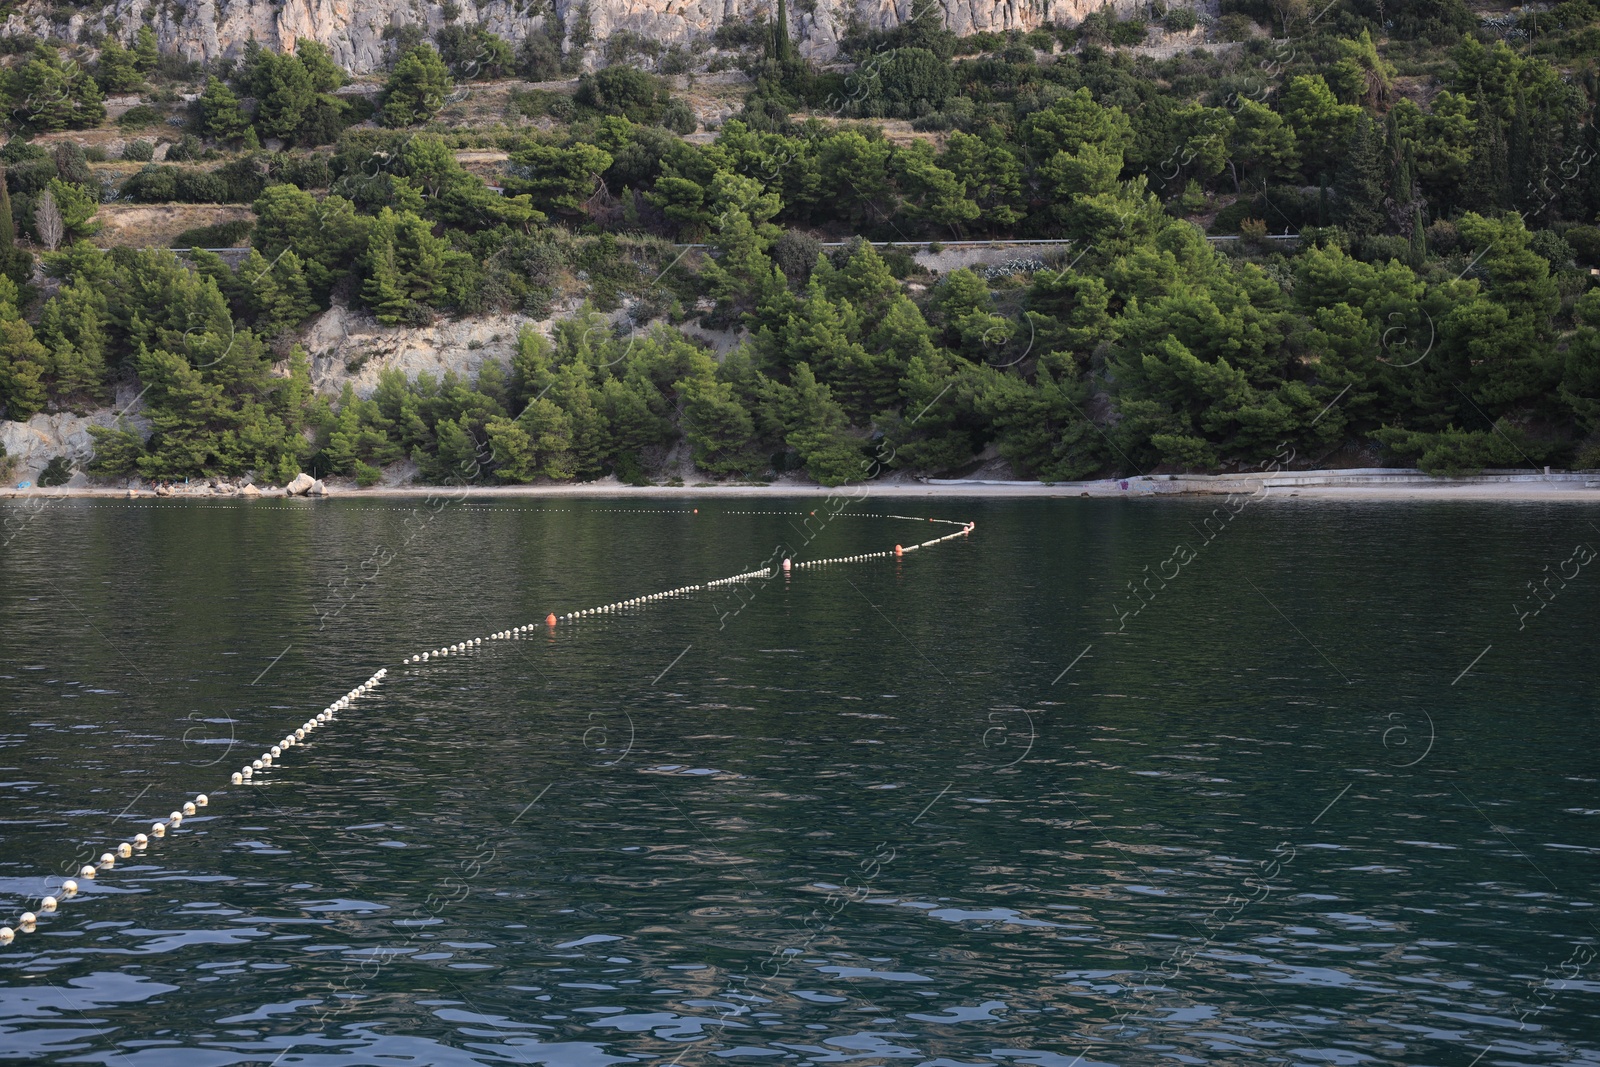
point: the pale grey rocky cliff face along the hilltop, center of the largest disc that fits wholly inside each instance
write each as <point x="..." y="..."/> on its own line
<point x="212" y="30"/>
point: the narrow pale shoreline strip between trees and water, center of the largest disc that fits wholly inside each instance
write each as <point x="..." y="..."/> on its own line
<point x="1311" y="486"/>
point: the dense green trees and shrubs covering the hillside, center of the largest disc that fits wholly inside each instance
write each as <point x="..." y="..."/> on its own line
<point x="1438" y="308"/>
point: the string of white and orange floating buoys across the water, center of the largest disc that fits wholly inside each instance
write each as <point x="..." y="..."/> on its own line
<point x="140" y="844"/>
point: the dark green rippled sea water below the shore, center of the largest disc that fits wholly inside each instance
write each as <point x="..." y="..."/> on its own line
<point x="1270" y="818"/>
